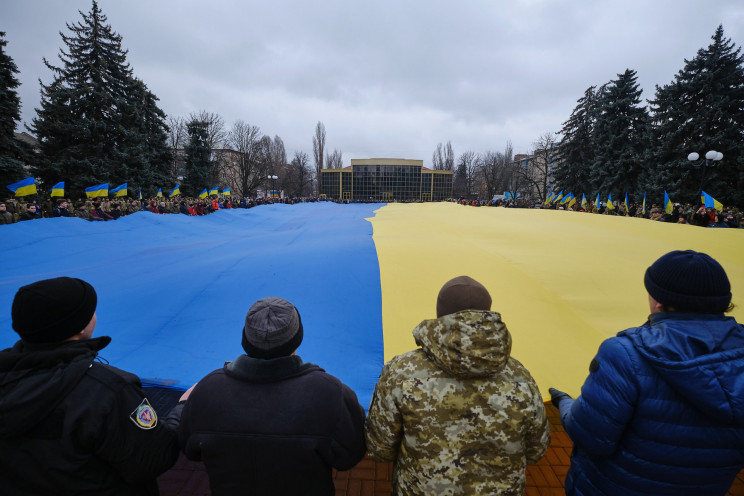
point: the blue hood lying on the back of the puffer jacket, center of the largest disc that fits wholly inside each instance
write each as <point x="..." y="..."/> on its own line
<point x="700" y="356"/>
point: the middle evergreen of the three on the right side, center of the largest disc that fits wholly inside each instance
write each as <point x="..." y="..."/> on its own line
<point x="620" y="137"/>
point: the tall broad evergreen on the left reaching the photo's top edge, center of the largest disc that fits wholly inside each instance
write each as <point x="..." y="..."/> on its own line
<point x="96" y="122"/>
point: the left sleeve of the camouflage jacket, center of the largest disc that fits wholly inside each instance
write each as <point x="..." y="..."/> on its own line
<point x="384" y="425"/>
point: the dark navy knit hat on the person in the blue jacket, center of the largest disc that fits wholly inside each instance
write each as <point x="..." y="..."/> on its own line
<point x="689" y="281"/>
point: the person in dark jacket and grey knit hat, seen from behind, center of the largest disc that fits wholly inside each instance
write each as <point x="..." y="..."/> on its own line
<point x="269" y="423"/>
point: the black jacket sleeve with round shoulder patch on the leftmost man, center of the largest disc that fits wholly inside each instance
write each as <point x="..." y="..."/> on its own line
<point x="138" y="451"/>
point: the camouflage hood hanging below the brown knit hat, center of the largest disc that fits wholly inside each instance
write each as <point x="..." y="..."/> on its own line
<point x="471" y="343"/>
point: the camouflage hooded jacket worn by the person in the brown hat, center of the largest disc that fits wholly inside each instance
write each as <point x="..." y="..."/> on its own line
<point x="458" y="415"/>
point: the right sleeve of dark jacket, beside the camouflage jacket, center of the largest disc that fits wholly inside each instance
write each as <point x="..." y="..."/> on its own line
<point x="348" y="440"/>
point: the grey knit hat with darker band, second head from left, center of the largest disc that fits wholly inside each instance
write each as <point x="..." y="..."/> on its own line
<point x="273" y="328"/>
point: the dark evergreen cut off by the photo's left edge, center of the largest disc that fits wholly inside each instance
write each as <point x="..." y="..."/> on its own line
<point x="13" y="153"/>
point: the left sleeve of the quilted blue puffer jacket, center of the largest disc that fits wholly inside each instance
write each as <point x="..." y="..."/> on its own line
<point x="596" y="420"/>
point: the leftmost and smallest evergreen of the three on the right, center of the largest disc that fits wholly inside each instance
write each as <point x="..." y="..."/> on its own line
<point x="576" y="148"/>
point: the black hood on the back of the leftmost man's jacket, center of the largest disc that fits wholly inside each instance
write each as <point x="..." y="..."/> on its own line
<point x="34" y="379"/>
